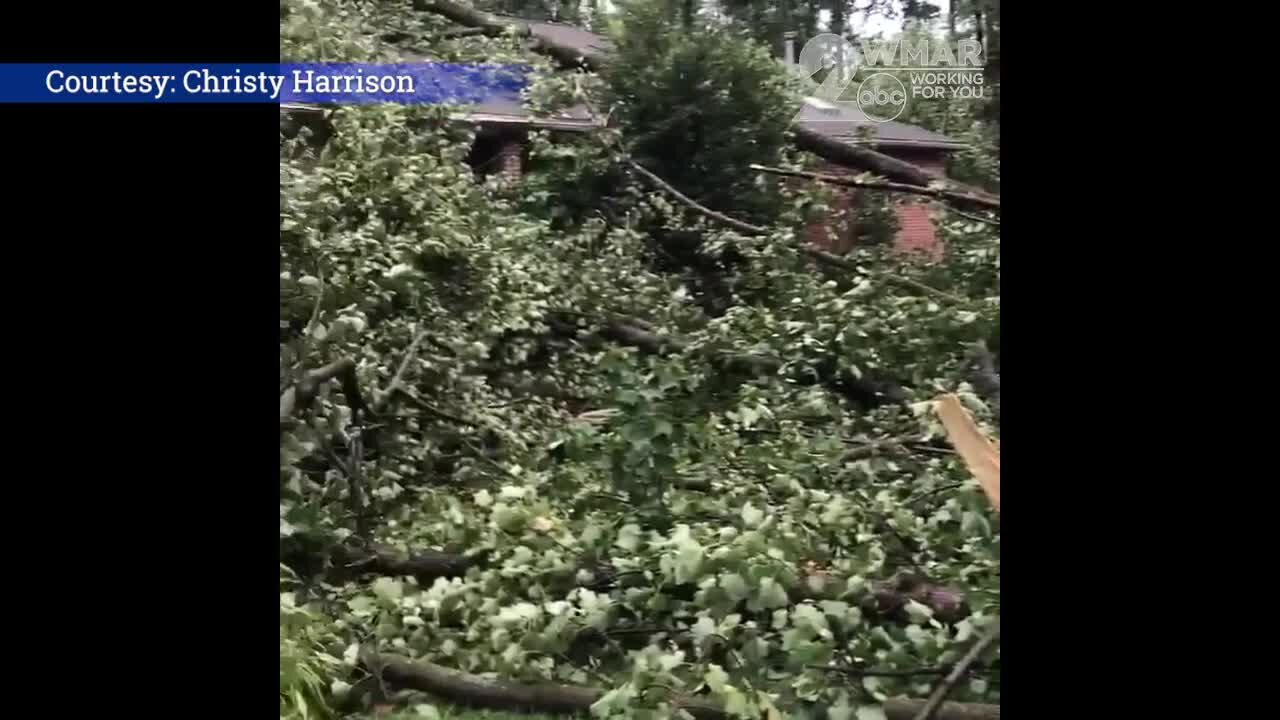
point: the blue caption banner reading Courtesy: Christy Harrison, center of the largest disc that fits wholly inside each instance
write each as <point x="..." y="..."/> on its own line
<point x="410" y="84"/>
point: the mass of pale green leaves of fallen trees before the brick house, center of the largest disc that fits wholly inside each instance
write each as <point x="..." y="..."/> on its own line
<point x="647" y="493"/>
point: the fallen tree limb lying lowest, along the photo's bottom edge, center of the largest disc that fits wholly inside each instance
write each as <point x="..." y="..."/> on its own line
<point x="476" y="691"/>
